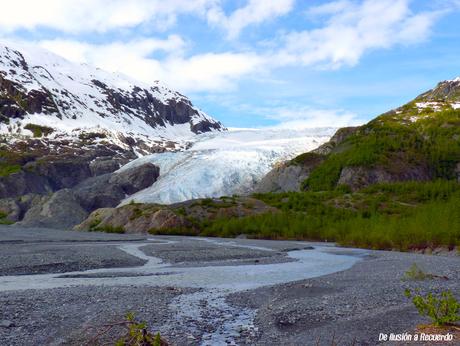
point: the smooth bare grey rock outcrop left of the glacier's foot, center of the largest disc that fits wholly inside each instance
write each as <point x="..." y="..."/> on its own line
<point x="50" y="210"/>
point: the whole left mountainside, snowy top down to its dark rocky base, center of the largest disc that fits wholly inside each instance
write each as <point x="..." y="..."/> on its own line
<point x="62" y="123"/>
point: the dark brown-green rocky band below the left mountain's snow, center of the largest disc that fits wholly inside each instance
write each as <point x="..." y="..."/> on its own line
<point x="44" y="166"/>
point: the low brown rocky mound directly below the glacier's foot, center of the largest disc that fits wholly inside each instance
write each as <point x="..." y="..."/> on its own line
<point x="186" y="216"/>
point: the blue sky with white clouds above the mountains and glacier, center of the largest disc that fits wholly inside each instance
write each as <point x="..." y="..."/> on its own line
<point x="258" y="63"/>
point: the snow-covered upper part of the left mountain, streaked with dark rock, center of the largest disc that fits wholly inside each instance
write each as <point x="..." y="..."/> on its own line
<point x="39" y="88"/>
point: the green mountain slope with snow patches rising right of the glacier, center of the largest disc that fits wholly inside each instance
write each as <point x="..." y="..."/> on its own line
<point x="419" y="141"/>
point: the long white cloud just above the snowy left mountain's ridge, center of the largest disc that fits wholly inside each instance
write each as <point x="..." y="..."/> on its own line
<point x="202" y="72"/>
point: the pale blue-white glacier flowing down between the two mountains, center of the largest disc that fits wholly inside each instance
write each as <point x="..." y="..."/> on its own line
<point x="225" y="163"/>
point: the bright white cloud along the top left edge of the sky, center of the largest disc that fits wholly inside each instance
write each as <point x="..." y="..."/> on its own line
<point x="78" y="16"/>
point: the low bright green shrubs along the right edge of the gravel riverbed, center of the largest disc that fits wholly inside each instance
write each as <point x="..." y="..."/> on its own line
<point x="402" y="216"/>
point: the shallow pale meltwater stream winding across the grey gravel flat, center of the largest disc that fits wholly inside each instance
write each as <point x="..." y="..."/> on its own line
<point x="208" y="305"/>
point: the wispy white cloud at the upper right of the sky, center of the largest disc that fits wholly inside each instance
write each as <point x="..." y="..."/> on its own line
<point x="353" y="28"/>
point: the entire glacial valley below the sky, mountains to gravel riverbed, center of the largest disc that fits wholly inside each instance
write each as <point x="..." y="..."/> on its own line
<point x="121" y="200"/>
